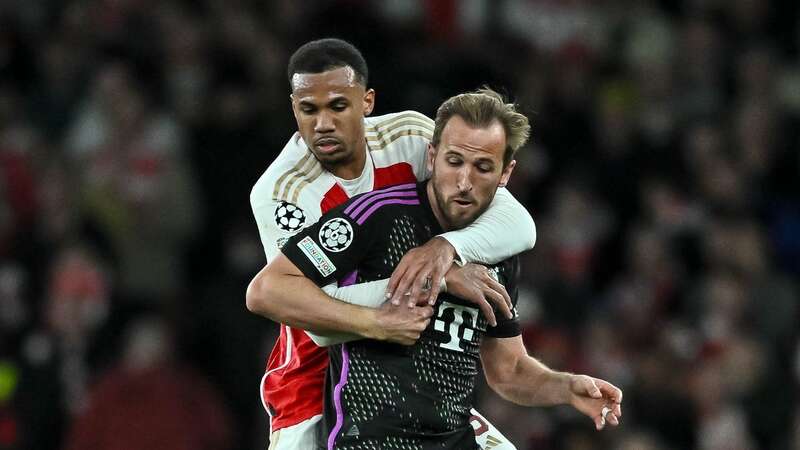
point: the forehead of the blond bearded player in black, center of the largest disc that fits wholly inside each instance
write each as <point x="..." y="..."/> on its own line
<point x="486" y="142"/>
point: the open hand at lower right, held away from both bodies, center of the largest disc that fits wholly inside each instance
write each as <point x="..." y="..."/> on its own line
<point x="598" y="399"/>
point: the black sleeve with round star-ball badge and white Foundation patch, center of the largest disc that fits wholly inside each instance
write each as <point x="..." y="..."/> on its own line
<point x="331" y="248"/>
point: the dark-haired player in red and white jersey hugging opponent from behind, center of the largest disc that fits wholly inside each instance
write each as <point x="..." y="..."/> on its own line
<point x="339" y="152"/>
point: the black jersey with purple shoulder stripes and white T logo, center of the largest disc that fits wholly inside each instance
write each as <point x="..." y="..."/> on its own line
<point x="388" y="396"/>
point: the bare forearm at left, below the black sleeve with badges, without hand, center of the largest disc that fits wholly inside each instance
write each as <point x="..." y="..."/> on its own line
<point x="295" y="301"/>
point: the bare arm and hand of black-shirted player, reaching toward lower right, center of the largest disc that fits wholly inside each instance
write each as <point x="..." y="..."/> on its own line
<point x="524" y="380"/>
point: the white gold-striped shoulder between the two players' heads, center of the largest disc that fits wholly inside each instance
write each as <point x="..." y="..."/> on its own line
<point x="382" y="131"/>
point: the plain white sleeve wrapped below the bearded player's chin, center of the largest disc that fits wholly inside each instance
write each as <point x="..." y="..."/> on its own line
<point x="504" y="230"/>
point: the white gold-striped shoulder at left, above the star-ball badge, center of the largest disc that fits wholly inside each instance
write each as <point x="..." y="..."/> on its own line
<point x="295" y="166"/>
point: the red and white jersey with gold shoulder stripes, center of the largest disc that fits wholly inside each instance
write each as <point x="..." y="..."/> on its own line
<point x="293" y="193"/>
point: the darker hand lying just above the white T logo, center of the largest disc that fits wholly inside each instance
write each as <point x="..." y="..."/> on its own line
<point x="473" y="283"/>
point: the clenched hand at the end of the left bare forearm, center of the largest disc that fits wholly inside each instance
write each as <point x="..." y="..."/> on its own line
<point x="400" y="324"/>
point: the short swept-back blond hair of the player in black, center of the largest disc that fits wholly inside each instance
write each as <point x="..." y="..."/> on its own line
<point x="480" y="109"/>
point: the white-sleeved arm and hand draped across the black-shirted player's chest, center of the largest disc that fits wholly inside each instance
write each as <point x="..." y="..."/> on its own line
<point x="505" y="229"/>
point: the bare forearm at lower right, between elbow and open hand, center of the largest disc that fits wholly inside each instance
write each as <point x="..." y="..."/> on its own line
<point x="531" y="383"/>
